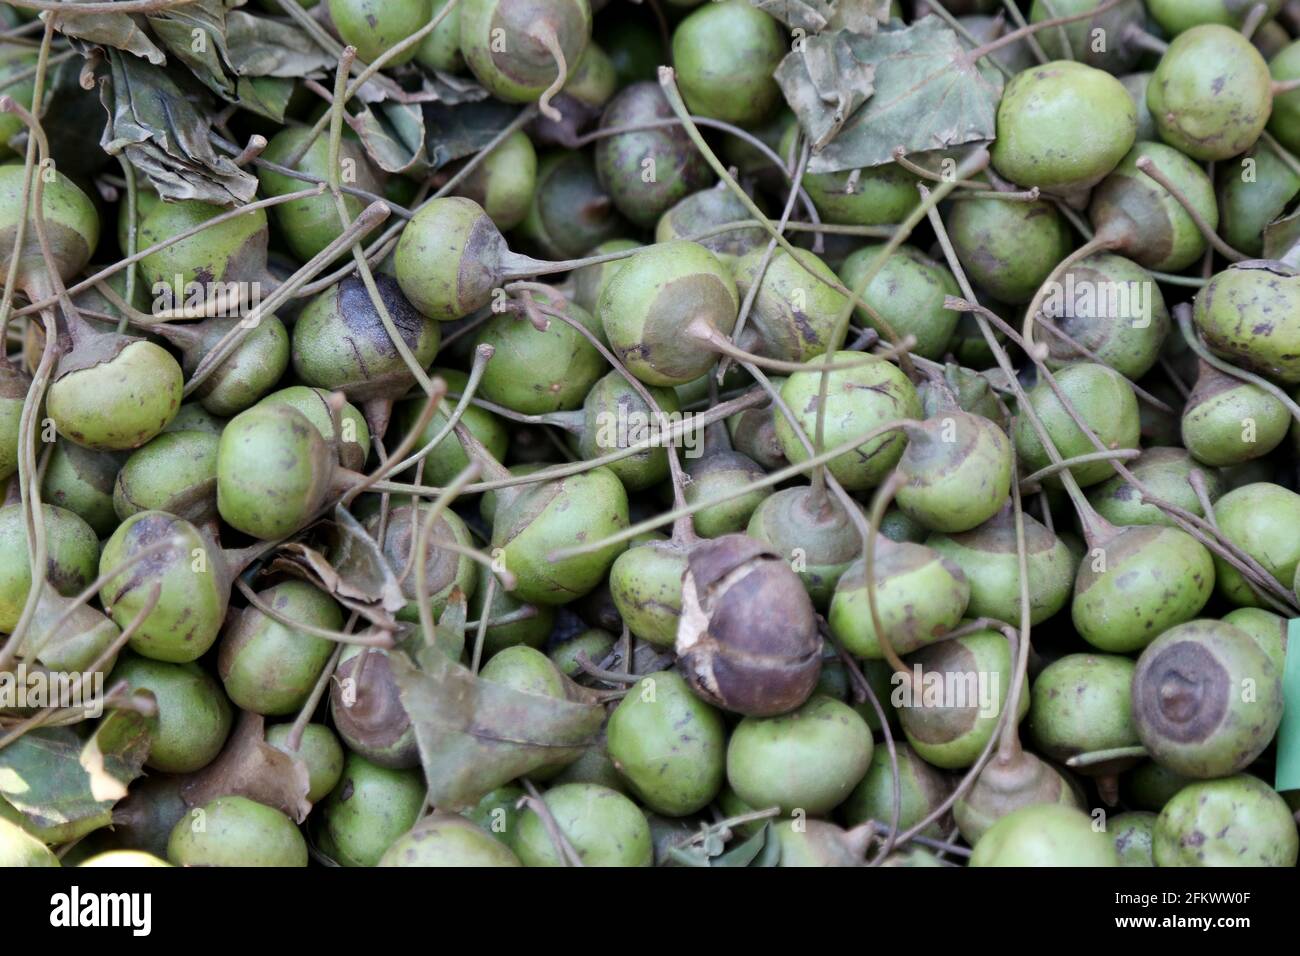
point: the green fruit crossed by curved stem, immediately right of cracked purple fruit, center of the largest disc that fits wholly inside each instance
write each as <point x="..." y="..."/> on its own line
<point x="921" y="596"/>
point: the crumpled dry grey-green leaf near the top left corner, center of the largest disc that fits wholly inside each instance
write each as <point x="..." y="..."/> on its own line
<point x="166" y="136"/>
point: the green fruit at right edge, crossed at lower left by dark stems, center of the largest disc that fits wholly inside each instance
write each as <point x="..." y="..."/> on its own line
<point x="1258" y="518"/>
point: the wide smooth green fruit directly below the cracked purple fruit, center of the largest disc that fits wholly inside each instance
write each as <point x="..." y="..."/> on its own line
<point x="808" y="760"/>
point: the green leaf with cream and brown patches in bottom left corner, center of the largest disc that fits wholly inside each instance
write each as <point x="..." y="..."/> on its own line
<point x="59" y="782"/>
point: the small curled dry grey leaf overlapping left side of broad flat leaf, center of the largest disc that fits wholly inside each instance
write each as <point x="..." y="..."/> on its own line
<point x="826" y="84"/>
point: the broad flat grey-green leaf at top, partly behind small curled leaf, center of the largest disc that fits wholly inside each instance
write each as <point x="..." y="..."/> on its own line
<point x="929" y="96"/>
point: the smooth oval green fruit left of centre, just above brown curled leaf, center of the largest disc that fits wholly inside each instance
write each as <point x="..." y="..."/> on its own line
<point x="274" y="471"/>
